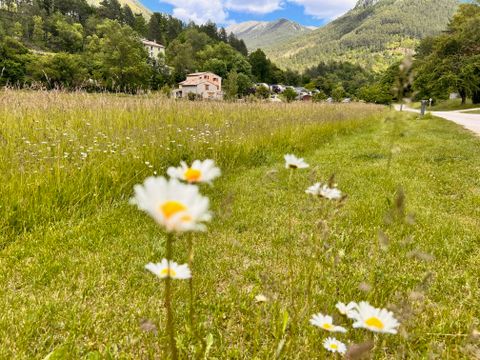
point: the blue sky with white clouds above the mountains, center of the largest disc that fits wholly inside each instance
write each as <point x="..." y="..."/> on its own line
<point x="225" y="12"/>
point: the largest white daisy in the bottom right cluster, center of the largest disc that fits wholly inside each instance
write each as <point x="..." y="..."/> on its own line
<point x="373" y="319"/>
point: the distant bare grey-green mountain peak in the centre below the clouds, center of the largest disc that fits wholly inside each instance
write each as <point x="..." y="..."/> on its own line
<point x="261" y="34"/>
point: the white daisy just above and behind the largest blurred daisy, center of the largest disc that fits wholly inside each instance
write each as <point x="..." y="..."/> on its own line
<point x="200" y="172"/>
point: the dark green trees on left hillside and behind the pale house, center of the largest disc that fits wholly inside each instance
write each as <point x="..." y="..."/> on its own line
<point x="72" y="45"/>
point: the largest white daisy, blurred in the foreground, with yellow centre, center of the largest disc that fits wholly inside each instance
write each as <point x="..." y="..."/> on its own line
<point x="176" y="206"/>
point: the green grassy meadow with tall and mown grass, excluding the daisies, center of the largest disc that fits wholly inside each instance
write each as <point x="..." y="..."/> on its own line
<point x="73" y="251"/>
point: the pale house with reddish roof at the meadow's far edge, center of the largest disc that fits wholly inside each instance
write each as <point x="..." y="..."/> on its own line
<point x="204" y="85"/>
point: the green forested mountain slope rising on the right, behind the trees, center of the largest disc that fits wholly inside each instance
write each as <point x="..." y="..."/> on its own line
<point x="373" y="34"/>
